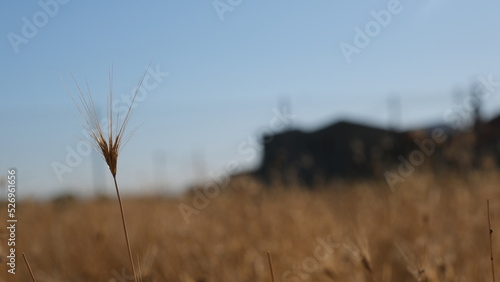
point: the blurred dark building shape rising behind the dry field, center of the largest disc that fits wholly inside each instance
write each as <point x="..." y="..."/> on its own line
<point x="351" y="150"/>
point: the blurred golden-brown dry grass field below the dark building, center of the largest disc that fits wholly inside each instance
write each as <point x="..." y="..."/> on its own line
<point x="431" y="228"/>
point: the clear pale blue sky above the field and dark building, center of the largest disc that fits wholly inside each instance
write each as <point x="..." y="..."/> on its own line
<point x="219" y="70"/>
